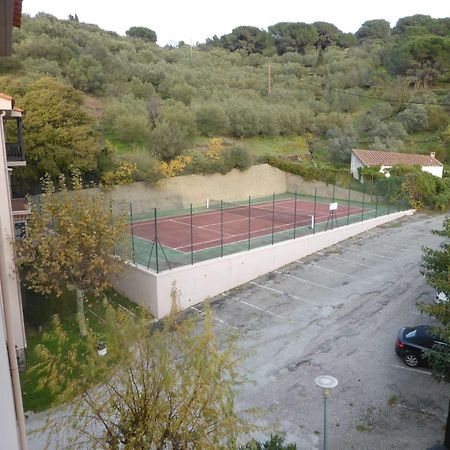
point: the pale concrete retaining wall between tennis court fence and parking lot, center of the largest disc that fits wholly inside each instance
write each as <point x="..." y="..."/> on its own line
<point x="200" y="281"/>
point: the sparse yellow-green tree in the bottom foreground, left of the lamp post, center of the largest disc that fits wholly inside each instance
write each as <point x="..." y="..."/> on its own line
<point x="171" y="387"/>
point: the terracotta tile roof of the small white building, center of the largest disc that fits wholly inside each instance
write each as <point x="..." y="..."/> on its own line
<point x="385" y="158"/>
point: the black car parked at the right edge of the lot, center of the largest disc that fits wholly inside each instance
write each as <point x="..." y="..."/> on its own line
<point x="412" y="341"/>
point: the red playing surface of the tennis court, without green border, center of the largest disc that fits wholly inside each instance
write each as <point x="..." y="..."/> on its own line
<point x="175" y="231"/>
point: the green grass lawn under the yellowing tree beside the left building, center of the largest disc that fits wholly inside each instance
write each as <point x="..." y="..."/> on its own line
<point x="35" y="399"/>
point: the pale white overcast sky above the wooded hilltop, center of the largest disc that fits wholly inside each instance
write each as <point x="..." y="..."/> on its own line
<point x="196" y="20"/>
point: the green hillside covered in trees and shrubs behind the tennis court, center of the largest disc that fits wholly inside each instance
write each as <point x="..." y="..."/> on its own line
<point x="116" y="107"/>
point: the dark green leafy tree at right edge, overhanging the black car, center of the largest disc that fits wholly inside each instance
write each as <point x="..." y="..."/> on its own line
<point x="436" y="268"/>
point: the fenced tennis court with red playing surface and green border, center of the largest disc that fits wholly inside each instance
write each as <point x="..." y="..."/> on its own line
<point x="162" y="240"/>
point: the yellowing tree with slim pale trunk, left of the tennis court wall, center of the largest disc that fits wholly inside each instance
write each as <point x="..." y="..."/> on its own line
<point x="70" y="243"/>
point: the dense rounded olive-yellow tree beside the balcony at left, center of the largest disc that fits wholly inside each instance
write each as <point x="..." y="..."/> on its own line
<point x="59" y="135"/>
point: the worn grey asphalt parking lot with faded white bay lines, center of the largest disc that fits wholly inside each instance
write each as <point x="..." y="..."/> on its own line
<point x="337" y="312"/>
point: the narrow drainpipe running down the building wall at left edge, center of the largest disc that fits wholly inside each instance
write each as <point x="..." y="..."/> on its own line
<point x="17" y="393"/>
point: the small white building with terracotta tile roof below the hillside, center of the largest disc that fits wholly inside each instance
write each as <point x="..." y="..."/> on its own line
<point x="386" y="159"/>
